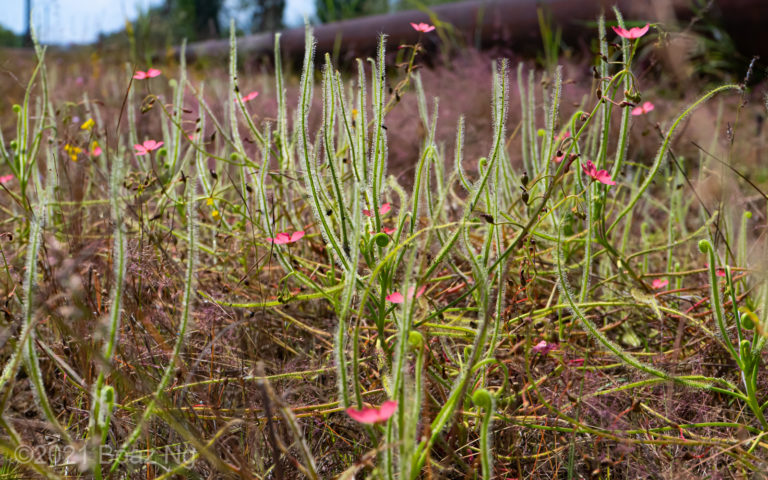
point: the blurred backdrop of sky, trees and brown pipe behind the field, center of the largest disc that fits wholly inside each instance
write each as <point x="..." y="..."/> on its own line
<point x="730" y="31"/>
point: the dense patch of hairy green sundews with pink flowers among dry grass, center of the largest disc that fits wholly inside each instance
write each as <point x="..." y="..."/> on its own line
<point x="193" y="291"/>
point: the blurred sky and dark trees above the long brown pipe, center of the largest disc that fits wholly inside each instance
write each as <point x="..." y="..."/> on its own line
<point x="66" y="22"/>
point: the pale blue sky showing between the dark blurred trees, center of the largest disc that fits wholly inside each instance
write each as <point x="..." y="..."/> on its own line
<point x="80" y="21"/>
